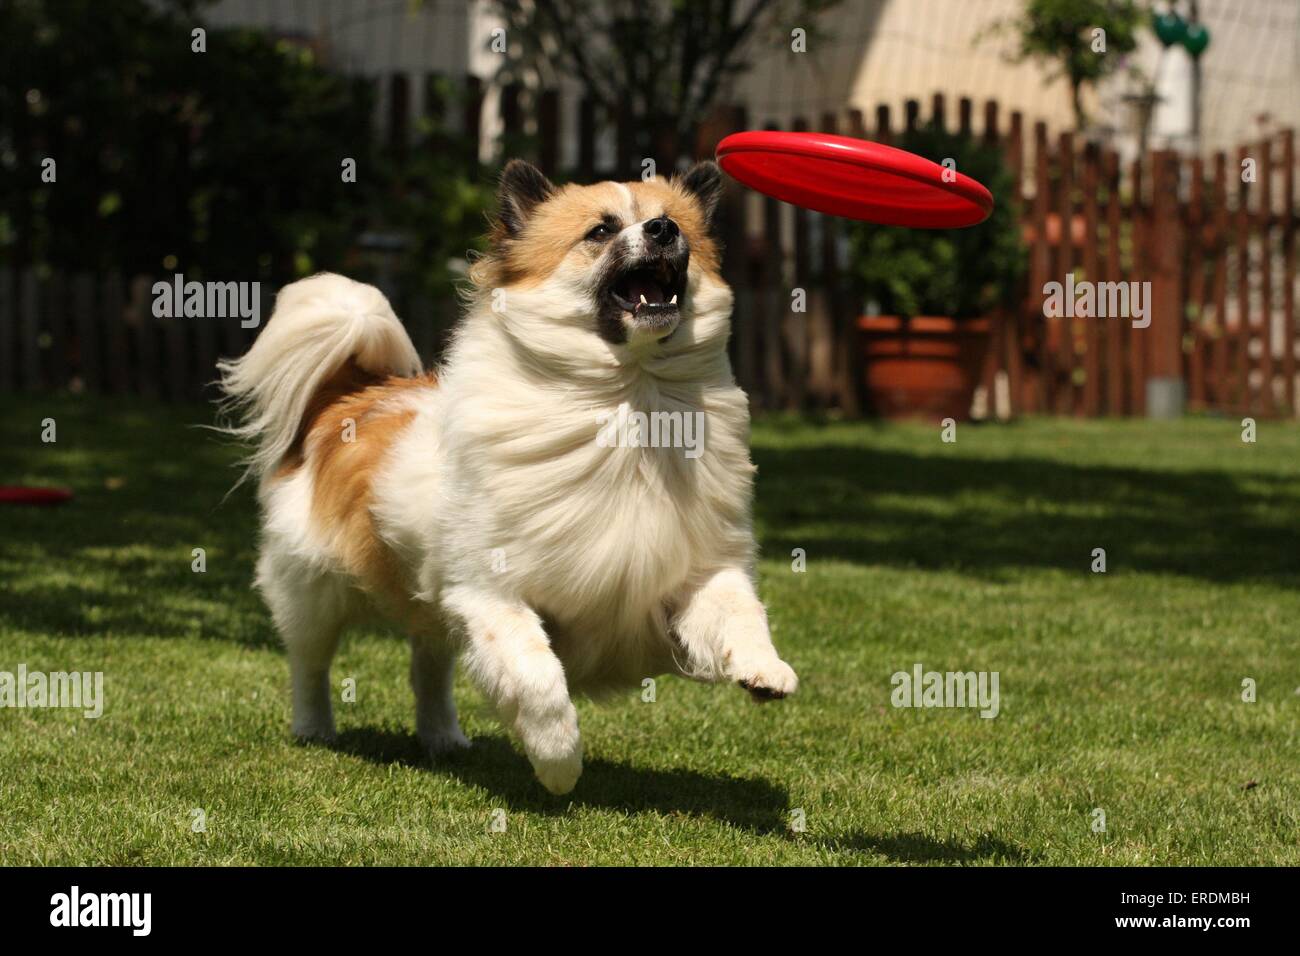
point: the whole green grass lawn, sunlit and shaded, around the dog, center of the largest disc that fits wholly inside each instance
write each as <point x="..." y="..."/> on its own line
<point x="1120" y="691"/>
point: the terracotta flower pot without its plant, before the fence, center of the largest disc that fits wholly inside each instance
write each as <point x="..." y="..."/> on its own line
<point x="925" y="366"/>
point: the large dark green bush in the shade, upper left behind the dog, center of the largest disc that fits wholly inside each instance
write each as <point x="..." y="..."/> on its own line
<point x="226" y="163"/>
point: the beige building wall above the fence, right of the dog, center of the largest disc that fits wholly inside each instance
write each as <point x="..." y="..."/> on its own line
<point x="866" y="53"/>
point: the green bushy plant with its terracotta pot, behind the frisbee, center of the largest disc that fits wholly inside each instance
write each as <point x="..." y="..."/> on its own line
<point x="930" y="293"/>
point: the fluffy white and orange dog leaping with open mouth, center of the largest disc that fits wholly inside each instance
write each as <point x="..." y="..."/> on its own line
<point x="497" y="508"/>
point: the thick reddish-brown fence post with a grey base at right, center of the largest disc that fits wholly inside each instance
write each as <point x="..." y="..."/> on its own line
<point x="1167" y="391"/>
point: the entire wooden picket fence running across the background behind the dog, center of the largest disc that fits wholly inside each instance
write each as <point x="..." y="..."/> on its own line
<point x="1217" y="248"/>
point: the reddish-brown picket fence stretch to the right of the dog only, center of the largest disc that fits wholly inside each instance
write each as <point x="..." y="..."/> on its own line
<point x="1216" y="239"/>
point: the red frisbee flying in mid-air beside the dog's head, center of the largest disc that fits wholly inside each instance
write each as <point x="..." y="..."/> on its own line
<point x="855" y="179"/>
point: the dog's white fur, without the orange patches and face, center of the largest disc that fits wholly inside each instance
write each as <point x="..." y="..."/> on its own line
<point x="619" y="563"/>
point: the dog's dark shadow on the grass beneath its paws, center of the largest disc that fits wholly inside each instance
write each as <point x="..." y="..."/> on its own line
<point x="749" y="803"/>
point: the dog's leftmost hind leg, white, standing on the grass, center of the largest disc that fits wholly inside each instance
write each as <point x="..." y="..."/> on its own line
<point x="310" y="611"/>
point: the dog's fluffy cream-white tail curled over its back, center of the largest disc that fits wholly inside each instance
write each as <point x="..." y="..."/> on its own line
<point x="318" y="326"/>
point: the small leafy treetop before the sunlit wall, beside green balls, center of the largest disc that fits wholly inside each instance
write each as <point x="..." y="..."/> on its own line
<point x="1060" y="34"/>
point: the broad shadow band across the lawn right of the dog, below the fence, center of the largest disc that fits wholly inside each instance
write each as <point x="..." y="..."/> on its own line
<point x="990" y="517"/>
